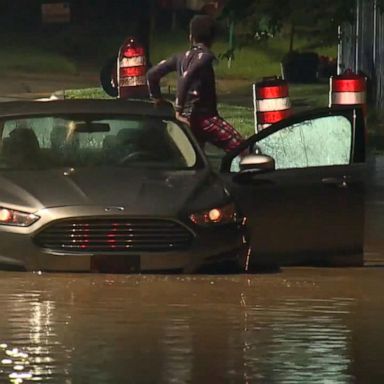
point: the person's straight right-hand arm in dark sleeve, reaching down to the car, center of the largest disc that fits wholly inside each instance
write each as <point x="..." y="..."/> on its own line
<point x="203" y="59"/>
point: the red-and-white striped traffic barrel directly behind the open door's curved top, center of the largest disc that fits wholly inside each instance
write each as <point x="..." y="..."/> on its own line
<point x="271" y="102"/>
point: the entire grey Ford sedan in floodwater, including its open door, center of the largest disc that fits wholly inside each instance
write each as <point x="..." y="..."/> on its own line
<point x="120" y="186"/>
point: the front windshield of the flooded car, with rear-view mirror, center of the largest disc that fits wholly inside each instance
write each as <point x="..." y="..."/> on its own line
<point x="84" y="141"/>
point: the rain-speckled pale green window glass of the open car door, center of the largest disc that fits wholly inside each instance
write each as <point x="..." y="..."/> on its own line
<point x="318" y="142"/>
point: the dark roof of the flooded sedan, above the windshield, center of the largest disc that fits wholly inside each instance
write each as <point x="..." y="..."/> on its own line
<point x="85" y="106"/>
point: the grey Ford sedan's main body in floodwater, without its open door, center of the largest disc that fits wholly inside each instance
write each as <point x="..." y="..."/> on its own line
<point x="110" y="186"/>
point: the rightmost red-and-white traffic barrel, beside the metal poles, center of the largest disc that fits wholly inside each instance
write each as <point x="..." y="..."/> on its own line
<point x="348" y="88"/>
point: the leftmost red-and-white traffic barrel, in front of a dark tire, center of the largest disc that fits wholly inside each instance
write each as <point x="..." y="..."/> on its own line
<point x="131" y="70"/>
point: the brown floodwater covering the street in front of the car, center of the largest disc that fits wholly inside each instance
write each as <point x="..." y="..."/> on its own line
<point x="300" y="325"/>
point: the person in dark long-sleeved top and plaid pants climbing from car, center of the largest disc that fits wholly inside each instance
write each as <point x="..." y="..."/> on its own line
<point x="196" y="100"/>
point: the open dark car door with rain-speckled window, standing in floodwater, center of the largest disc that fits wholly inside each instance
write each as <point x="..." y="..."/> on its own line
<point x="310" y="209"/>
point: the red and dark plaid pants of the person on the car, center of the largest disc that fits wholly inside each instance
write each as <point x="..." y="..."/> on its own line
<point x="215" y="130"/>
